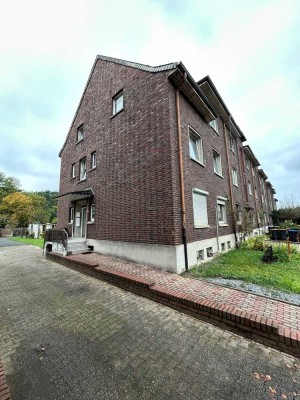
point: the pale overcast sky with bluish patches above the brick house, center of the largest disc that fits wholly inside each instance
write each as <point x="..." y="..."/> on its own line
<point x="250" y="49"/>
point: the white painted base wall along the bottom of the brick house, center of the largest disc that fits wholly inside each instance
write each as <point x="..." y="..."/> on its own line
<point x="167" y="258"/>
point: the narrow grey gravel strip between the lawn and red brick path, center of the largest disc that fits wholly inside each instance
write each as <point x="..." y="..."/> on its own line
<point x="257" y="289"/>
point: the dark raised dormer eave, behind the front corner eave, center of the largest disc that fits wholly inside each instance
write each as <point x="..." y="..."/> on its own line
<point x="213" y="96"/>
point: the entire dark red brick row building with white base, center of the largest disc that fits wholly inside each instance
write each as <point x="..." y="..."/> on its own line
<point x="154" y="168"/>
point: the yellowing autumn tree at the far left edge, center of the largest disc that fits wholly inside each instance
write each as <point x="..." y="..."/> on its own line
<point x="17" y="209"/>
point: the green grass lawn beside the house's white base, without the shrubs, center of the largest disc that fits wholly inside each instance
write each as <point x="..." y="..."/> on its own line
<point x="247" y="265"/>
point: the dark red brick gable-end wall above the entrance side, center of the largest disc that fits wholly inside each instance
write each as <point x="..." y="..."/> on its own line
<point x="133" y="180"/>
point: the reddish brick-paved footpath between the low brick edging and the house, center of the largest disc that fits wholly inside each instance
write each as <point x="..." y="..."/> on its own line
<point x="284" y="313"/>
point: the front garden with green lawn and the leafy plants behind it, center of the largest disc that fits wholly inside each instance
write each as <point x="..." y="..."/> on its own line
<point x="246" y="264"/>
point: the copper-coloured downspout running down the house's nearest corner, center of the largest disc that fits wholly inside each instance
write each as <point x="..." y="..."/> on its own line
<point x="183" y="211"/>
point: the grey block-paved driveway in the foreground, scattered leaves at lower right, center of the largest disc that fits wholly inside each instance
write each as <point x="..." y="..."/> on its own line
<point x="64" y="335"/>
